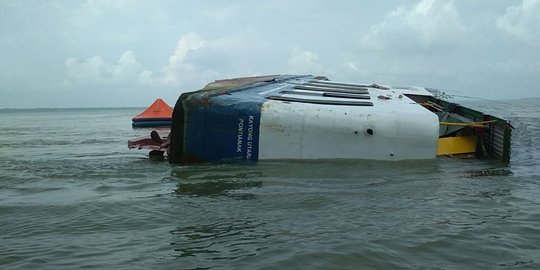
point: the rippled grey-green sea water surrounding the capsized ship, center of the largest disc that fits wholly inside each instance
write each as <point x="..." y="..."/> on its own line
<point x="73" y="196"/>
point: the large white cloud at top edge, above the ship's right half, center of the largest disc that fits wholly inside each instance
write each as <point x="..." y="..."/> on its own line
<point x="430" y="24"/>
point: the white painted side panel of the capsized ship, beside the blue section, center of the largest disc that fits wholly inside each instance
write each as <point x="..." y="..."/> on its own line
<point x="400" y="130"/>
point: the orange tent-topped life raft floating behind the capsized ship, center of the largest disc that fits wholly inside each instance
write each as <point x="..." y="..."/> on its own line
<point x="159" y="114"/>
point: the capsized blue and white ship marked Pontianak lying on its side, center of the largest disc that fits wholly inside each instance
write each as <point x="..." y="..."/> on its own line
<point x="311" y="117"/>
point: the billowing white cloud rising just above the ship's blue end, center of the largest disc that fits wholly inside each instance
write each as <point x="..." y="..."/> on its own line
<point x="196" y="61"/>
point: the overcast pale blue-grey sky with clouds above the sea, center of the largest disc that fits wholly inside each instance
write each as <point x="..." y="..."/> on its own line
<point x="116" y="53"/>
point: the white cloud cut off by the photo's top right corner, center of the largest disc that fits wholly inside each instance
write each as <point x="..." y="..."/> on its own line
<point x="522" y="21"/>
